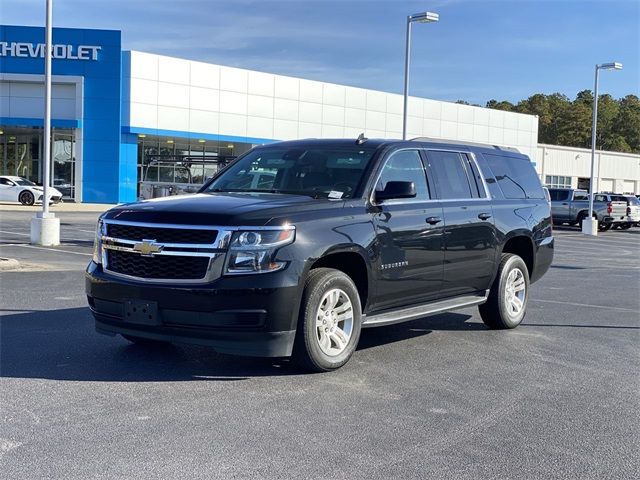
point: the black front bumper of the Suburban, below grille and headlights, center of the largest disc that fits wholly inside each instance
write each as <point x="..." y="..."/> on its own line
<point x="246" y="315"/>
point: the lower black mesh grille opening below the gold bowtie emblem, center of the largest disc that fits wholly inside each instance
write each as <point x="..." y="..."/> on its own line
<point x="157" y="267"/>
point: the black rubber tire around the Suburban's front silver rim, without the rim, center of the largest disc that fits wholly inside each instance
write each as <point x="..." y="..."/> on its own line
<point x="315" y="290"/>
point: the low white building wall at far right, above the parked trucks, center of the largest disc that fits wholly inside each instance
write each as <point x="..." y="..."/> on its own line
<point x="618" y="172"/>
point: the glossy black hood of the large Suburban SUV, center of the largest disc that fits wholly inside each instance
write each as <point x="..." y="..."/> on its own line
<point x="223" y="209"/>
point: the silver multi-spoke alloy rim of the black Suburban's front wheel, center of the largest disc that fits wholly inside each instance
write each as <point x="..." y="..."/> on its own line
<point x="334" y="322"/>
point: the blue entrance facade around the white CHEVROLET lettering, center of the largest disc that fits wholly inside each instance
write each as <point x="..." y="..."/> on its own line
<point x="101" y="155"/>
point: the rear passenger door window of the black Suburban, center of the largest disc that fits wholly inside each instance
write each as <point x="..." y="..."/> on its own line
<point x="452" y="174"/>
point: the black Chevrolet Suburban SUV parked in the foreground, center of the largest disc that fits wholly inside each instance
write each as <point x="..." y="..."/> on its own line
<point x="296" y="246"/>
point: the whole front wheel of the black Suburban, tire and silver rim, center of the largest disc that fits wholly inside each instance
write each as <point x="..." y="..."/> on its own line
<point x="330" y="321"/>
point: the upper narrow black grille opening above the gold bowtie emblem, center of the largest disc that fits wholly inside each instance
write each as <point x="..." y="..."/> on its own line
<point x="161" y="235"/>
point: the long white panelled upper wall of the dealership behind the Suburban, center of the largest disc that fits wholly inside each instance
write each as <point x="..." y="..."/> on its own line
<point x="173" y="94"/>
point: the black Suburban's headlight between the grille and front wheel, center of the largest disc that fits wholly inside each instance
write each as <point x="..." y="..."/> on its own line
<point x="253" y="251"/>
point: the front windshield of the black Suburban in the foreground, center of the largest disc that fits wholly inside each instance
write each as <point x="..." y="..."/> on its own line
<point x="317" y="171"/>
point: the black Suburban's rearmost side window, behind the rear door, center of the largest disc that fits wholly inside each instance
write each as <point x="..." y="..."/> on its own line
<point x="516" y="176"/>
